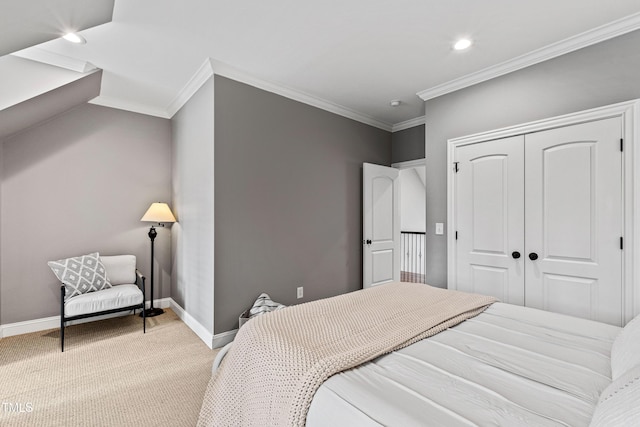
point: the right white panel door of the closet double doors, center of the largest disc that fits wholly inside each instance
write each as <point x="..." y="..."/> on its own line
<point x="574" y="220"/>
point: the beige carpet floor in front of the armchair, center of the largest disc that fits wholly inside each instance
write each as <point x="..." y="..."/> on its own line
<point x="110" y="374"/>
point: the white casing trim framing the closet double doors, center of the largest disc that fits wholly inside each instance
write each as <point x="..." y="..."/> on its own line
<point x="630" y="113"/>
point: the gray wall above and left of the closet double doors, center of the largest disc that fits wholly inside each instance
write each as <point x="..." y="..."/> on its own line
<point x="595" y="76"/>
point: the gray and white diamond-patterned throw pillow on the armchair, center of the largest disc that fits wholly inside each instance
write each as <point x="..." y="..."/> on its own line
<point x="81" y="274"/>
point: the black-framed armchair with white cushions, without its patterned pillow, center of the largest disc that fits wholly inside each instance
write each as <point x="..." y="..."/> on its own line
<point x="126" y="293"/>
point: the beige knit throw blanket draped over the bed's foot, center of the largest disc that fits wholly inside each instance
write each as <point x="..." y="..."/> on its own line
<point x="278" y="360"/>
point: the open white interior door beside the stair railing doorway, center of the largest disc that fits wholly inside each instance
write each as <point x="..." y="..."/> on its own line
<point x="381" y="225"/>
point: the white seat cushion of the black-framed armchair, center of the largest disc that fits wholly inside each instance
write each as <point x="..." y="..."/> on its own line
<point x="107" y="299"/>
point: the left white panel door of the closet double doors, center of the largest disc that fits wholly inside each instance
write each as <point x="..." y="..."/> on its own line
<point x="489" y="219"/>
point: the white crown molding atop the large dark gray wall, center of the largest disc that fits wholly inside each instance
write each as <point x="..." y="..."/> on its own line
<point x="233" y="73"/>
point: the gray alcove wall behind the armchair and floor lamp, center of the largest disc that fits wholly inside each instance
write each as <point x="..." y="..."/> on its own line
<point x="77" y="183"/>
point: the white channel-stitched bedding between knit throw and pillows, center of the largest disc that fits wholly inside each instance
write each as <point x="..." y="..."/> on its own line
<point x="508" y="366"/>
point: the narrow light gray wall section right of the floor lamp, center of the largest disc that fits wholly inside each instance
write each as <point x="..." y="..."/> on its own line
<point x="193" y="238"/>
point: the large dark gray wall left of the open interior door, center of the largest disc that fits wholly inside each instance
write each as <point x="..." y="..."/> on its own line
<point x="288" y="180"/>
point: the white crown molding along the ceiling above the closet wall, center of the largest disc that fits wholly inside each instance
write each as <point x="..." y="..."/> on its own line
<point x="579" y="41"/>
